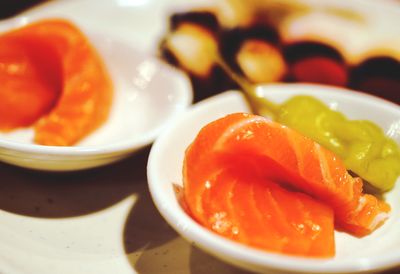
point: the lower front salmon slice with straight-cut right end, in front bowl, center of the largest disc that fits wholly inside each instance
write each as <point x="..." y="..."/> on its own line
<point x="264" y="215"/>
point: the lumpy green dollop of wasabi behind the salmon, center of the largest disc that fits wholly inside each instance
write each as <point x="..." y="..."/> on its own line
<point x="362" y="145"/>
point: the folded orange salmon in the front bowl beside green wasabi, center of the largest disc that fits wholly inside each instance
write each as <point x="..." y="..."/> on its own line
<point x="240" y="152"/>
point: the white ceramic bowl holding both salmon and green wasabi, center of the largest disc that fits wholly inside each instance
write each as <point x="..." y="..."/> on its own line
<point x="378" y="251"/>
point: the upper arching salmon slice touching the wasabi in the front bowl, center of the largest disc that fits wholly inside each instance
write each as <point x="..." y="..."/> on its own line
<point x="276" y="153"/>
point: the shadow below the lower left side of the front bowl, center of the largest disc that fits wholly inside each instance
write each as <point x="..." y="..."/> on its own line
<point x="152" y="246"/>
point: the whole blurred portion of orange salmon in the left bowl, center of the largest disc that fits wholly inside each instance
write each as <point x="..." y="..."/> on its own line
<point x="54" y="80"/>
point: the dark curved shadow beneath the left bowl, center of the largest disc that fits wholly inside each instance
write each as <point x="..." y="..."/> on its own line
<point x="59" y="195"/>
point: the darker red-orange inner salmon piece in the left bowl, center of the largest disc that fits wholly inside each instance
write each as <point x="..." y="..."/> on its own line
<point x="29" y="87"/>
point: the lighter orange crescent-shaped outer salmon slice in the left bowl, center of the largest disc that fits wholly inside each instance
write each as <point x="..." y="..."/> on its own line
<point x="86" y="95"/>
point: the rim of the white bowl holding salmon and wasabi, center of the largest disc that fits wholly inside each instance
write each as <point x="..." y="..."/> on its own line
<point x="202" y="237"/>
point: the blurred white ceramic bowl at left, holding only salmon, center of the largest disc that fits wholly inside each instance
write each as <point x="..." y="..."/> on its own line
<point x="148" y="94"/>
